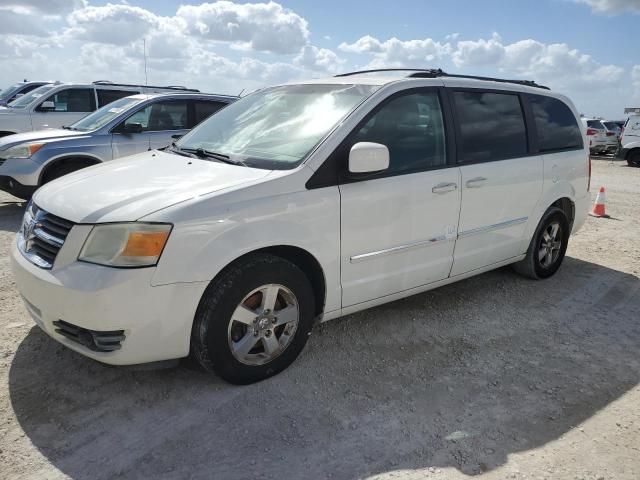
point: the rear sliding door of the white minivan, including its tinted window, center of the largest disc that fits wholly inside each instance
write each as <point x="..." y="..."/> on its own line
<point x="501" y="183"/>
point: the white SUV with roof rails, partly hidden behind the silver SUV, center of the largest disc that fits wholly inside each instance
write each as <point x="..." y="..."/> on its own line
<point x="58" y="104"/>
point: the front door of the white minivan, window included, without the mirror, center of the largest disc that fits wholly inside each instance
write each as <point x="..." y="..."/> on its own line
<point x="398" y="228"/>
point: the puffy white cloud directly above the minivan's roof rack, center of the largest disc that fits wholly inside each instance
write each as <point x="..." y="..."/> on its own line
<point x="395" y="53"/>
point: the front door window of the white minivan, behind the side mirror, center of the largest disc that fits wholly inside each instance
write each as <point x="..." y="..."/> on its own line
<point x="411" y="127"/>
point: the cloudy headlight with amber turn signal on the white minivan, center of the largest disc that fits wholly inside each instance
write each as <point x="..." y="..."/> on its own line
<point x="125" y="244"/>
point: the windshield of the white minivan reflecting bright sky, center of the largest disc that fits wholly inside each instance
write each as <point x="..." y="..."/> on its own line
<point x="277" y="127"/>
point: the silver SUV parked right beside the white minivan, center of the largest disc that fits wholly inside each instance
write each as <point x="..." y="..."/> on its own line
<point x="127" y="126"/>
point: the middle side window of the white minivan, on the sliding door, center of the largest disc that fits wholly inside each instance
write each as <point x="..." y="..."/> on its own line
<point x="491" y="126"/>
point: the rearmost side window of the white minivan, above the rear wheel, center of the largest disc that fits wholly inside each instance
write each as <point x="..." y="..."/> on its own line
<point x="556" y="125"/>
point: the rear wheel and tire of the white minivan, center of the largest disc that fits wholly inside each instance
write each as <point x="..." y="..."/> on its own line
<point x="532" y="266"/>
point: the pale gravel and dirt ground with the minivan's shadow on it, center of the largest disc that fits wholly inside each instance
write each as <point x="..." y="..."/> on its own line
<point x="495" y="376"/>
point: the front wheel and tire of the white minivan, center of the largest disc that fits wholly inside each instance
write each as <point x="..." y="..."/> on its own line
<point x="221" y="343"/>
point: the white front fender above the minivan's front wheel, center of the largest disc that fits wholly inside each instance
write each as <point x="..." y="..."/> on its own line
<point x="217" y="233"/>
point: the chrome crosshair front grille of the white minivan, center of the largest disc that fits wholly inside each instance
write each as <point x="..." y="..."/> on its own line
<point x="42" y="235"/>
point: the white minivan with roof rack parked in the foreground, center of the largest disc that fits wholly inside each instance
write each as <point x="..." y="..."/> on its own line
<point x="297" y="204"/>
